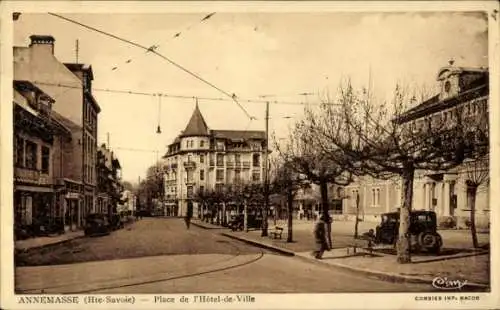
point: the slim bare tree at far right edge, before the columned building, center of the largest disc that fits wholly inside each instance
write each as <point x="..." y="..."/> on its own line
<point x="478" y="174"/>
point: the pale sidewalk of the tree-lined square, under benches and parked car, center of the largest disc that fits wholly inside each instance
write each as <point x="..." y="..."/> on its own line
<point x="466" y="264"/>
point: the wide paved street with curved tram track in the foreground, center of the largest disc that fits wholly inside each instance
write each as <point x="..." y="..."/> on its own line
<point x="160" y="256"/>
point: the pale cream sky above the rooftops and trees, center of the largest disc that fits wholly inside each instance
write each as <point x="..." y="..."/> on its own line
<point x="278" y="55"/>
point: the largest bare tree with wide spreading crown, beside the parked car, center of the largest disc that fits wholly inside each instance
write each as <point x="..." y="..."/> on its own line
<point x="382" y="141"/>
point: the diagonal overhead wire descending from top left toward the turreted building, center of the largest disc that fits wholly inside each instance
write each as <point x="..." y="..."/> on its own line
<point x="152" y="49"/>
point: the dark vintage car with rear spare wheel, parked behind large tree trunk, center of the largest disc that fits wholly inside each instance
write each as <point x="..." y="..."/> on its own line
<point x="422" y="229"/>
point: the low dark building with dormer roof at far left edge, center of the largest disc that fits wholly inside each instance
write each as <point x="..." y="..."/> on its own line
<point x="37" y="175"/>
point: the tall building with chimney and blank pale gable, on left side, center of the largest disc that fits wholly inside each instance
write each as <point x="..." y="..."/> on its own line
<point x="70" y="86"/>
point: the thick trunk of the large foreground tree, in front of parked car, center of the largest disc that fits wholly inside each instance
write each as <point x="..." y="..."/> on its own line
<point x="404" y="239"/>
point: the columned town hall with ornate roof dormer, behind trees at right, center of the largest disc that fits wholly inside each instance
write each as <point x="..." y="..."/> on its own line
<point x="465" y="91"/>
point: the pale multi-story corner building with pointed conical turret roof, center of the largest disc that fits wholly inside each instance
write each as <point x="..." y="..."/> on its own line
<point x="203" y="159"/>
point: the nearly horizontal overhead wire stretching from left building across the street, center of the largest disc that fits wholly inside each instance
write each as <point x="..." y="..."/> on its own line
<point x="187" y="97"/>
